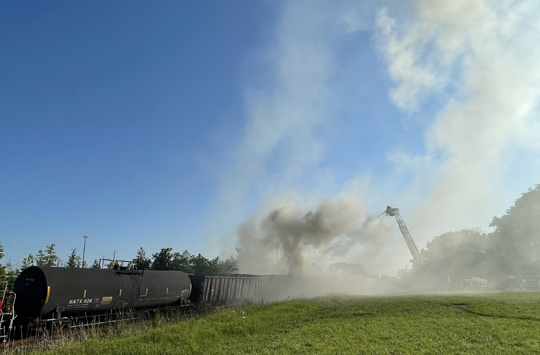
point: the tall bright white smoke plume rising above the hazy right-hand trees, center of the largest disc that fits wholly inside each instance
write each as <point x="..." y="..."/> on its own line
<point x="481" y="59"/>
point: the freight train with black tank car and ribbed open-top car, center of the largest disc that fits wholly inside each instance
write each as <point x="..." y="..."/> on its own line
<point x="49" y="295"/>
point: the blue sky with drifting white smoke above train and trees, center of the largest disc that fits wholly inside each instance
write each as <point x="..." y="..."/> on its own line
<point x="170" y="124"/>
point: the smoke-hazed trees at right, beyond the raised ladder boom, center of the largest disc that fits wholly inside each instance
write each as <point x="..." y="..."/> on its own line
<point x="513" y="248"/>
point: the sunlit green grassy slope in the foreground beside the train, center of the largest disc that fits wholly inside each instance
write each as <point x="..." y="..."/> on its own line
<point x="466" y="323"/>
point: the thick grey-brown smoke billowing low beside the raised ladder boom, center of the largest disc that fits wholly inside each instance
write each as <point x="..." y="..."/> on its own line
<point x="288" y="238"/>
